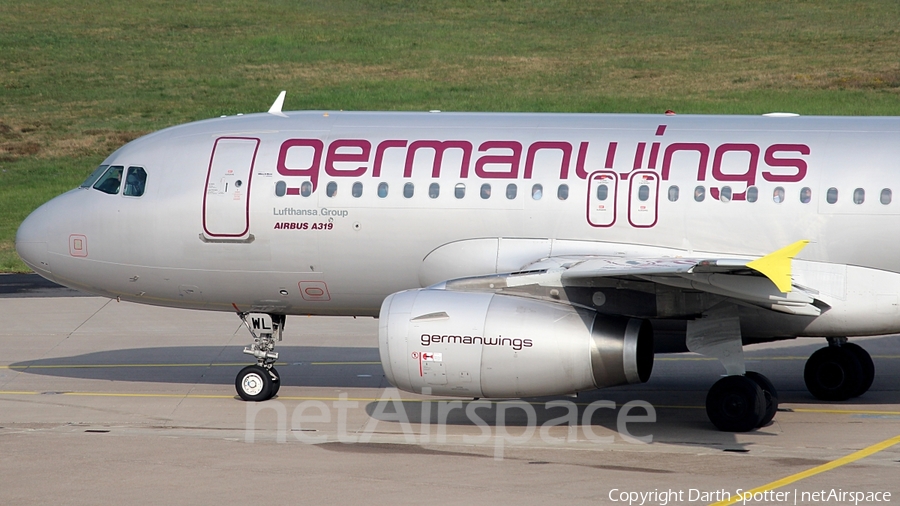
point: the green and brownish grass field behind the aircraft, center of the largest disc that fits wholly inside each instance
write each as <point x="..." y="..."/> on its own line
<point x="79" y="78"/>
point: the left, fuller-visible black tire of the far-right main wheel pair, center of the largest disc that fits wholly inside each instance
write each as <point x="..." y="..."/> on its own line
<point x="833" y="374"/>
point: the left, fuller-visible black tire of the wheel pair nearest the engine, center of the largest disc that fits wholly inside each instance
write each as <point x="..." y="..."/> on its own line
<point x="735" y="404"/>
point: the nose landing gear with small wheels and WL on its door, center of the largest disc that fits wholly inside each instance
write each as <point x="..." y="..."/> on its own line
<point x="260" y="382"/>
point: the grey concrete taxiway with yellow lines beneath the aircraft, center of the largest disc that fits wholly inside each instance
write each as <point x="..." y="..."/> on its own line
<point x="107" y="402"/>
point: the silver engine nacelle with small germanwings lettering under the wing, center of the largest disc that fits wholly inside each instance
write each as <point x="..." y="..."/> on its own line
<point x="474" y="344"/>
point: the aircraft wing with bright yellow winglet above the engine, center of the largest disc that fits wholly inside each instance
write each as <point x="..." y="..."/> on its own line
<point x="764" y="282"/>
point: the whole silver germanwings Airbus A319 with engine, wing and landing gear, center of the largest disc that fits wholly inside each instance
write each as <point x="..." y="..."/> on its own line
<point x="507" y="255"/>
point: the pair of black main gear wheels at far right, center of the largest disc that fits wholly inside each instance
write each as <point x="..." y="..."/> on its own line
<point x="839" y="372"/>
